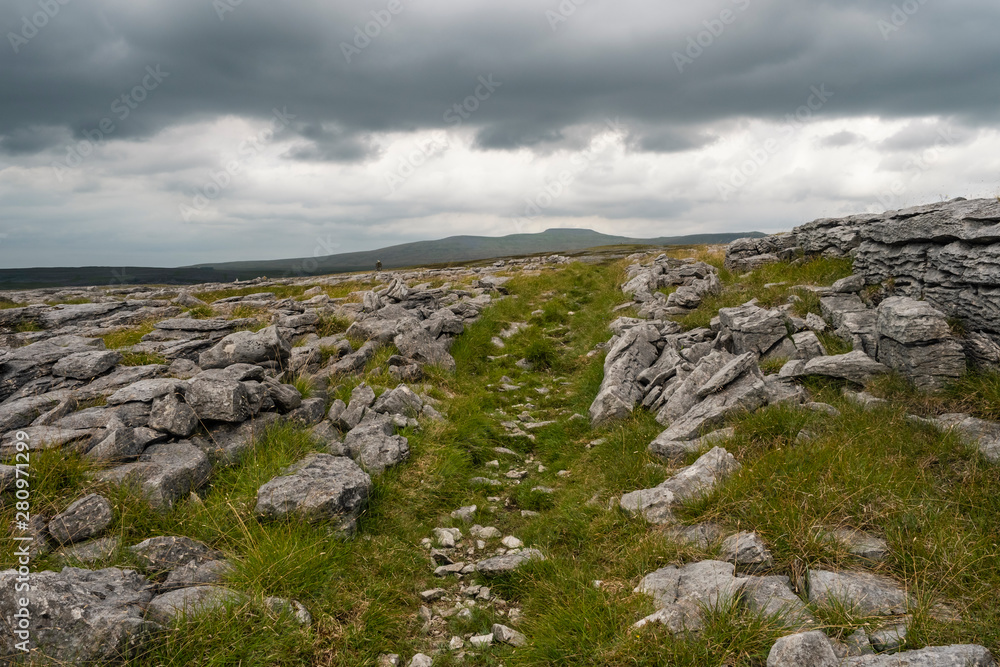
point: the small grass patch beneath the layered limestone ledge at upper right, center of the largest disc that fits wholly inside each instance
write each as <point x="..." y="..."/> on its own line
<point x="779" y="278"/>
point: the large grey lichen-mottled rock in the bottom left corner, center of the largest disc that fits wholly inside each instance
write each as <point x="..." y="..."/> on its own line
<point x="79" y="616"/>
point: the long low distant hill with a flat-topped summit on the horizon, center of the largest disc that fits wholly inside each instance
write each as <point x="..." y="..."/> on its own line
<point x="451" y="250"/>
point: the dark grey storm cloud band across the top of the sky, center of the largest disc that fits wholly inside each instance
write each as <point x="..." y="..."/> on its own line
<point x="605" y="60"/>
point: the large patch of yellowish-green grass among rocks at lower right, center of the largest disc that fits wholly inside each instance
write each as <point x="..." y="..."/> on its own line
<point x="928" y="494"/>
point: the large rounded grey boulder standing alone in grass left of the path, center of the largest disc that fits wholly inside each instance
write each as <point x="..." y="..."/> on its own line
<point x="320" y="487"/>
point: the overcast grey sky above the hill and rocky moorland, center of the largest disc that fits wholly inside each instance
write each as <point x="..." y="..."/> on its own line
<point x="172" y="132"/>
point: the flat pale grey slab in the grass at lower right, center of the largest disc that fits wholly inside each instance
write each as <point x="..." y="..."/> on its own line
<point x="869" y="594"/>
